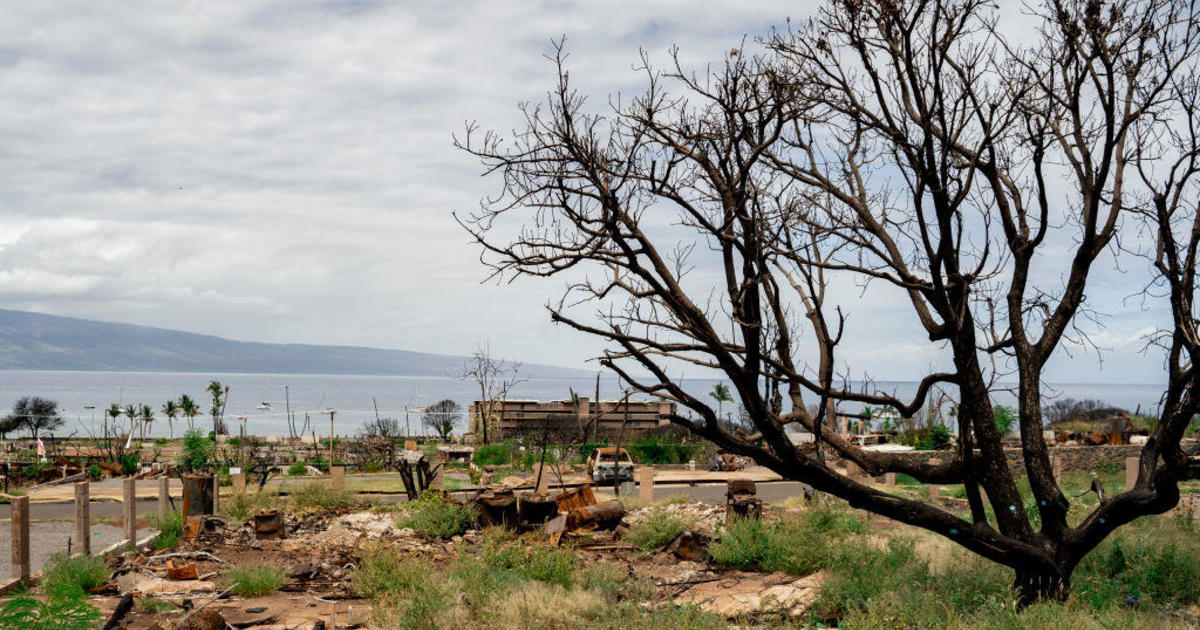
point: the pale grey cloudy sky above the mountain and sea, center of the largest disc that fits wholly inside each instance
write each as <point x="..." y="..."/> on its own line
<point x="284" y="171"/>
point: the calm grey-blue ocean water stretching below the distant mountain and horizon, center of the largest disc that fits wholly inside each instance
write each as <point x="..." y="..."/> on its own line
<point x="357" y="398"/>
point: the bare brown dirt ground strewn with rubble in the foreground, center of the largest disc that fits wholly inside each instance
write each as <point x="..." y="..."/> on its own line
<point x="320" y="554"/>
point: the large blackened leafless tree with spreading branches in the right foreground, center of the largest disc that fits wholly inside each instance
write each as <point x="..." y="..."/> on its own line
<point x="909" y="147"/>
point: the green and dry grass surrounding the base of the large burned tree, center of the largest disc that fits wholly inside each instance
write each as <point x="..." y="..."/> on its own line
<point x="913" y="579"/>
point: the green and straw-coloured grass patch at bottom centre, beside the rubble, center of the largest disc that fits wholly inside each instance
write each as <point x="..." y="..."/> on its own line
<point x="512" y="584"/>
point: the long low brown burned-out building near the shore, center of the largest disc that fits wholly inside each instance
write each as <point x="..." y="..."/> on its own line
<point x="518" y="418"/>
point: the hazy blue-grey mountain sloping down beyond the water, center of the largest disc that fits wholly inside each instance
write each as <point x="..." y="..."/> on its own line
<point x="35" y="341"/>
